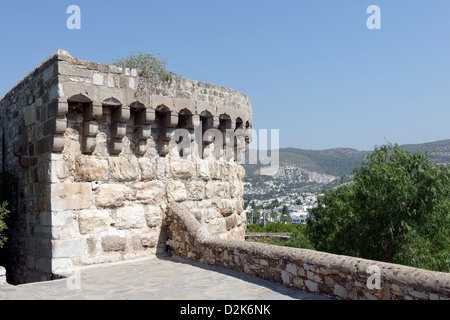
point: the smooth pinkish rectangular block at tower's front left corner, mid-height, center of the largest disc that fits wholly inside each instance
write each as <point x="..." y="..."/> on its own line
<point x="67" y="196"/>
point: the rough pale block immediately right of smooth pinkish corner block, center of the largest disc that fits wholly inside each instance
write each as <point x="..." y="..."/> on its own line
<point x="112" y="195"/>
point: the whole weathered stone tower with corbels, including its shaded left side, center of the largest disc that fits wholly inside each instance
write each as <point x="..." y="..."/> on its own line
<point x="92" y="152"/>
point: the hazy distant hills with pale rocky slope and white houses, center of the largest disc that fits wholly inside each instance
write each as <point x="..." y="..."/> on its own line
<point x="303" y="170"/>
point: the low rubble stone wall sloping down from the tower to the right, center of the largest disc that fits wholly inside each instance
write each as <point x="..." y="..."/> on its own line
<point x="340" y="277"/>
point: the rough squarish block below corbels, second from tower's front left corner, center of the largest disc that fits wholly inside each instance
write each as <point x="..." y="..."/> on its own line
<point x="88" y="168"/>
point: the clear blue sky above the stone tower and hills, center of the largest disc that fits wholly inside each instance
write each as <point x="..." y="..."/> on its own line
<point x="310" y="67"/>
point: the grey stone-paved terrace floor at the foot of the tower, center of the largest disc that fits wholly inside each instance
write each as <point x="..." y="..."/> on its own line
<point x="167" y="278"/>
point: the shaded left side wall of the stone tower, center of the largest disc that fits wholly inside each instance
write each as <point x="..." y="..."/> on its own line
<point x="26" y="114"/>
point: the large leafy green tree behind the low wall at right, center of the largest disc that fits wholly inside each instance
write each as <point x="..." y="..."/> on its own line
<point x="397" y="209"/>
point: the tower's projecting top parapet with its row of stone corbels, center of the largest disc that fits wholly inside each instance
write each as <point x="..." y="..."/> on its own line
<point x="151" y="111"/>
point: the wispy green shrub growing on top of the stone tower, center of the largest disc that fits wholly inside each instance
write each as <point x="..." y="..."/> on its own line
<point x="149" y="66"/>
